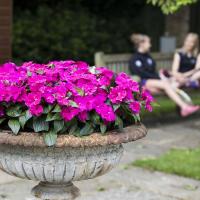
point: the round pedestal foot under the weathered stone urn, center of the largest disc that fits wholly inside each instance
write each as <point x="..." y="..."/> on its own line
<point x="49" y="191"/>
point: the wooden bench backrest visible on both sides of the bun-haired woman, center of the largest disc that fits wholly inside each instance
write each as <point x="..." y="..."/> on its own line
<point x="120" y="62"/>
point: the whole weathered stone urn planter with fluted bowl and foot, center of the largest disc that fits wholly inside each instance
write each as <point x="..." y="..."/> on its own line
<point x="72" y="159"/>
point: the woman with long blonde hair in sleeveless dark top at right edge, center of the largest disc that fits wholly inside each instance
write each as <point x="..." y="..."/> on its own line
<point x="186" y="64"/>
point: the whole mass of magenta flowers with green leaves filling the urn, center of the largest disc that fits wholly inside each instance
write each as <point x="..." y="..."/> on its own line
<point x="68" y="97"/>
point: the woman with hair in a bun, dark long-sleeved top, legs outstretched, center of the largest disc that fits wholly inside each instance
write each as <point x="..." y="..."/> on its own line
<point x="143" y="65"/>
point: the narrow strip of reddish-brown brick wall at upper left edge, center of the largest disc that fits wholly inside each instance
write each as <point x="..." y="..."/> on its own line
<point x="5" y="30"/>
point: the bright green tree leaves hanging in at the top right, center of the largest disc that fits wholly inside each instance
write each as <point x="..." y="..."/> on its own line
<point x="171" y="6"/>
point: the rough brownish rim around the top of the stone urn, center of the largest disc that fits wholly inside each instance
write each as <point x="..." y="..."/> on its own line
<point x="31" y="139"/>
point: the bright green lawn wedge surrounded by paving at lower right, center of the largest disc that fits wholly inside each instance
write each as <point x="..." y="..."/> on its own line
<point x="182" y="162"/>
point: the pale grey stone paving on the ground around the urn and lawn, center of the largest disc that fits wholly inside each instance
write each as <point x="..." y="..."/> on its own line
<point x="131" y="183"/>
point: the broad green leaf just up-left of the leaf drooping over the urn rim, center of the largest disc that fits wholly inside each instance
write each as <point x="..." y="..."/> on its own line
<point x="39" y="124"/>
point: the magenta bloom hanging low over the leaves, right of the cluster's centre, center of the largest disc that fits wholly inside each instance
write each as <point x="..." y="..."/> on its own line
<point x="106" y="112"/>
